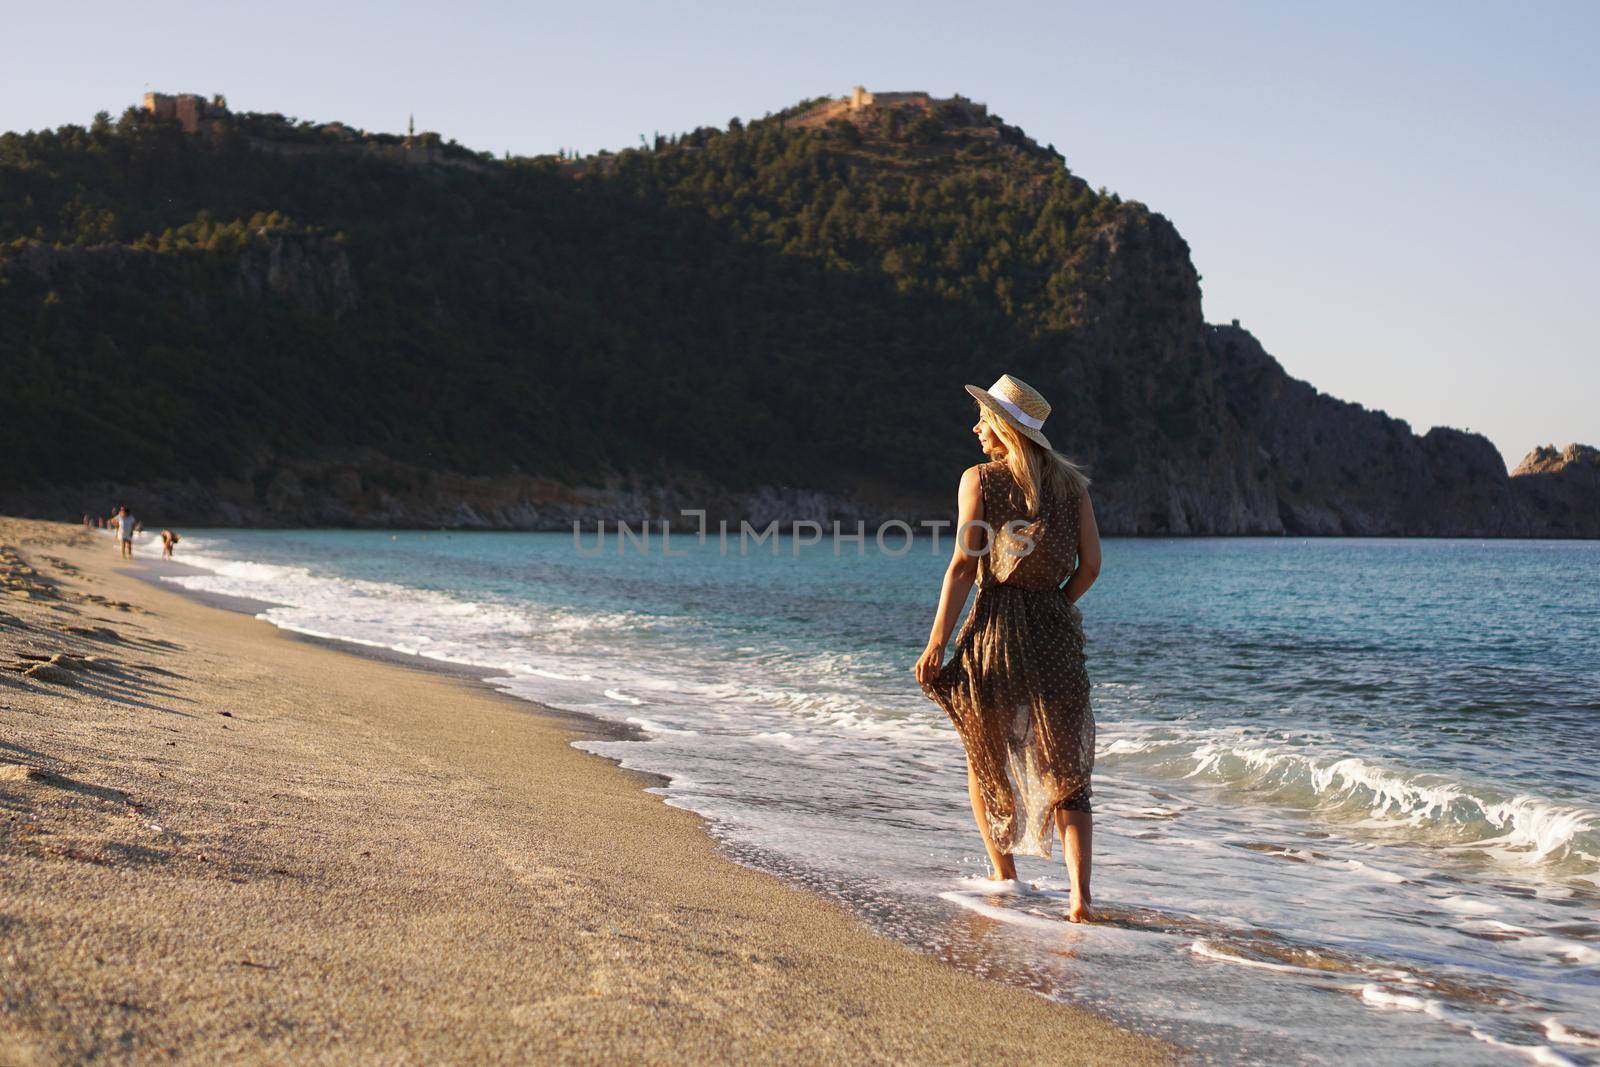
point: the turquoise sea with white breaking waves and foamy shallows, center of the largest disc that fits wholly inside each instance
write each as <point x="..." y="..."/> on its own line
<point x="1348" y="793"/>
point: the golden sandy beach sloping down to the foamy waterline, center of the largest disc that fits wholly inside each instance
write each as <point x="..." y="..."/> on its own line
<point x="222" y="842"/>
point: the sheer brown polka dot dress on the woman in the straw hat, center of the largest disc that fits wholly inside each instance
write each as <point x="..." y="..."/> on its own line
<point x="1017" y="685"/>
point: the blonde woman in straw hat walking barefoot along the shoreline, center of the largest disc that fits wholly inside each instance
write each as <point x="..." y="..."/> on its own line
<point x="1017" y="687"/>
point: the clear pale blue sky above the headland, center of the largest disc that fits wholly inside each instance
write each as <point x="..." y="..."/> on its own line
<point x="1399" y="199"/>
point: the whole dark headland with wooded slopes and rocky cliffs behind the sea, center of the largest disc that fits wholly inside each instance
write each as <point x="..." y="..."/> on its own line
<point x="321" y="326"/>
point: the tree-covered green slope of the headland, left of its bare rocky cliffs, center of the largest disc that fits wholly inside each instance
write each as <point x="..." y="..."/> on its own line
<point x="770" y="305"/>
